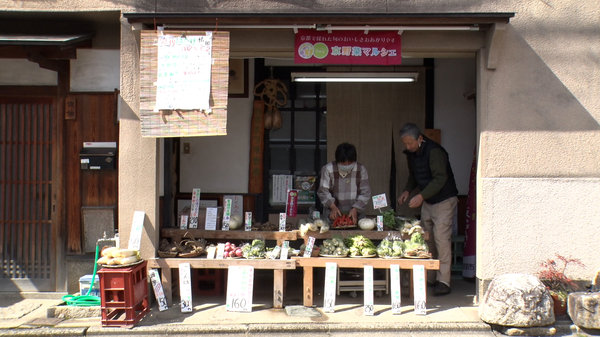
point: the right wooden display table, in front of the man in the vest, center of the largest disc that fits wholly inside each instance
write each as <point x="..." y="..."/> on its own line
<point x="308" y="263"/>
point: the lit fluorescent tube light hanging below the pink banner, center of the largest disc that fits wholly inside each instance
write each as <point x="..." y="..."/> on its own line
<point x="404" y="77"/>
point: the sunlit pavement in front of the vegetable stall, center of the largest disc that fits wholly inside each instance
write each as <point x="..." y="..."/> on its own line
<point x="450" y="315"/>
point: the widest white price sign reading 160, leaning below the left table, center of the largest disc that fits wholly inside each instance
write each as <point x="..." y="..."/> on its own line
<point x="240" y="281"/>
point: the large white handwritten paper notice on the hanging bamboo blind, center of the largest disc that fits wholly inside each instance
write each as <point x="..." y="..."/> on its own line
<point x="183" y="72"/>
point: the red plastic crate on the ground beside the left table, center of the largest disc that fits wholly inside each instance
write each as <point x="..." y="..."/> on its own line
<point x="123" y="295"/>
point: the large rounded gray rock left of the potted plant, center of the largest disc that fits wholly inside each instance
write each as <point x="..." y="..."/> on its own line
<point x="517" y="300"/>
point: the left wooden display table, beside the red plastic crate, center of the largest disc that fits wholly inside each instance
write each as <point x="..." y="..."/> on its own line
<point x="278" y="266"/>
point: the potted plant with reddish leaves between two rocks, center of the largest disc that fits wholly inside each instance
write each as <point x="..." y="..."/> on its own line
<point x="552" y="275"/>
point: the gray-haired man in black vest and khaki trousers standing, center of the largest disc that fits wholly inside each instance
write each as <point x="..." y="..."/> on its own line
<point x="430" y="173"/>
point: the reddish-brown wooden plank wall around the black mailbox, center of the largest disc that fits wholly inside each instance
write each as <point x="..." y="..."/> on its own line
<point x="93" y="118"/>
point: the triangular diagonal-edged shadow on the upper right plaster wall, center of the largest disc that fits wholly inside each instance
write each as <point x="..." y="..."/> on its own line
<point x="525" y="95"/>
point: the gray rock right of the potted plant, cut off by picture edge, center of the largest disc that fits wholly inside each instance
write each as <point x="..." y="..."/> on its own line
<point x="584" y="309"/>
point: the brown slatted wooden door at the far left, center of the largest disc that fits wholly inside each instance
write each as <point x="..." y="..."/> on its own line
<point x="27" y="201"/>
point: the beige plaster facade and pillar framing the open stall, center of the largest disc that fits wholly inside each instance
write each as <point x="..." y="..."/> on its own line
<point x="537" y="111"/>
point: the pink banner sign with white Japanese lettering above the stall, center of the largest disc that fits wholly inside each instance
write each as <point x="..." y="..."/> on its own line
<point x="347" y="47"/>
